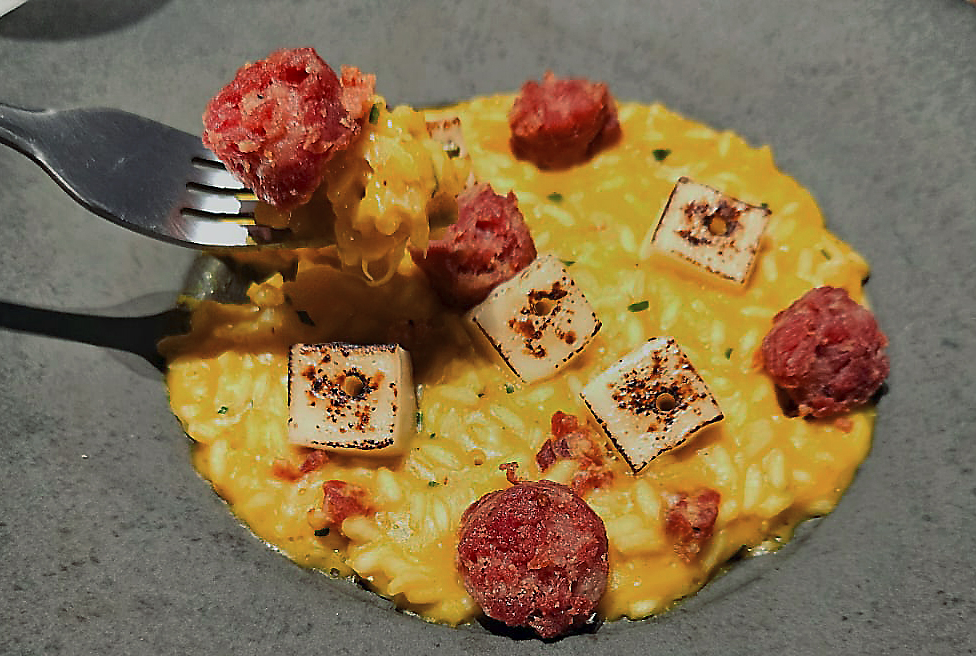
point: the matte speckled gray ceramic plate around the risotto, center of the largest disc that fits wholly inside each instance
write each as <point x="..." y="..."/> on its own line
<point x="109" y="541"/>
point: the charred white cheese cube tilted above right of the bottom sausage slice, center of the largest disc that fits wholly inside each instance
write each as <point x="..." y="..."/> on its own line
<point x="650" y="402"/>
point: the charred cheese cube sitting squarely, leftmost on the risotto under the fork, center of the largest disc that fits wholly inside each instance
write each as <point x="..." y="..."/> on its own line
<point x="350" y="399"/>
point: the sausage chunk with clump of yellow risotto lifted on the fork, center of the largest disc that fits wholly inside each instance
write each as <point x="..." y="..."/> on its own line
<point x="331" y="162"/>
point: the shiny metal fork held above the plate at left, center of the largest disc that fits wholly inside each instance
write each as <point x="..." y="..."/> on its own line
<point x="138" y="173"/>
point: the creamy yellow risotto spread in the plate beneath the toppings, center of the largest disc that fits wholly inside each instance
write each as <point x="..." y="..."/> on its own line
<point x="753" y="475"/>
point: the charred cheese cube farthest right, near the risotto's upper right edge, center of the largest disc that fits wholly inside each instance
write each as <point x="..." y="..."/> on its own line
<point x="714" y="231"/>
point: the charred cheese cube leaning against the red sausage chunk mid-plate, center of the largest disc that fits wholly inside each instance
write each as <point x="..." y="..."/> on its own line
<point x="537" y="321"/>
